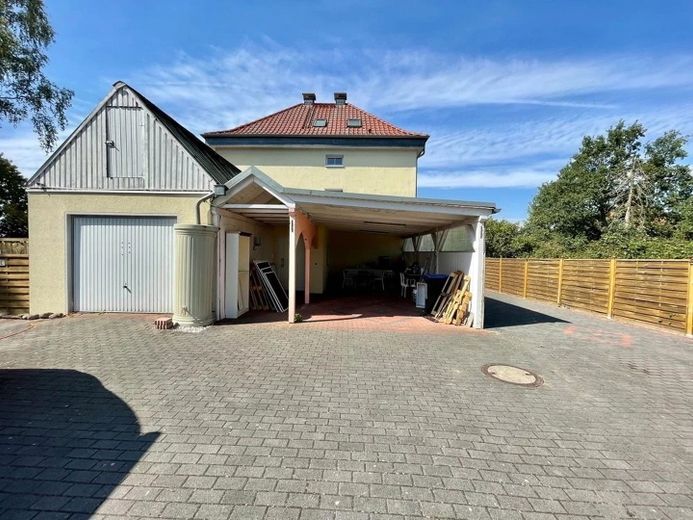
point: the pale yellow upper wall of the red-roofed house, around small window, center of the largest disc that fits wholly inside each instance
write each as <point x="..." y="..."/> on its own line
<point x="378" y="171"/>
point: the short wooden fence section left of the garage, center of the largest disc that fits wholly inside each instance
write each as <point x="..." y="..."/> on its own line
<point x="14" y="276"/>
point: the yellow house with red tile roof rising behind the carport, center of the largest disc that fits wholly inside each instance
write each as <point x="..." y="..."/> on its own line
<point x="326" y="146"/>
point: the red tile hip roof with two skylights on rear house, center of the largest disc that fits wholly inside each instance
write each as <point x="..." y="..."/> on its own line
<point x="298" y="120"/>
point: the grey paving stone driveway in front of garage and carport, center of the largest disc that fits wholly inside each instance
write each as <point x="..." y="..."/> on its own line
<point x="103" y="416"/>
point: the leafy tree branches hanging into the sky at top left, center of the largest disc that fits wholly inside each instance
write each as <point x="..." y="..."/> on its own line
<point x="24" y="89"/>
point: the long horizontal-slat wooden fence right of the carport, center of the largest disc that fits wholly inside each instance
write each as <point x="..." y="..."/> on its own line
<point x="657" y="292"/>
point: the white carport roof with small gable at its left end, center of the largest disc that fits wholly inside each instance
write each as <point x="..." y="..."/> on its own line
<point x="255" y="195"/>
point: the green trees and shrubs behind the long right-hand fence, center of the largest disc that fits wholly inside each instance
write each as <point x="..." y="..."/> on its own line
<point x="617" y="197"/>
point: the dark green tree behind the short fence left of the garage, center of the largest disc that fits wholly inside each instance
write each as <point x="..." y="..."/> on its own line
<point x="13" y="201"/>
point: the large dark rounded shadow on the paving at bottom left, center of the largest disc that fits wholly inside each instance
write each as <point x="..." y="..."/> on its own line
<point x="65" y="442"/>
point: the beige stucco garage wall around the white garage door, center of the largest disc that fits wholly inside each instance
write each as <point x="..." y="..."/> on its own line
<point x="49" y="251"/>
